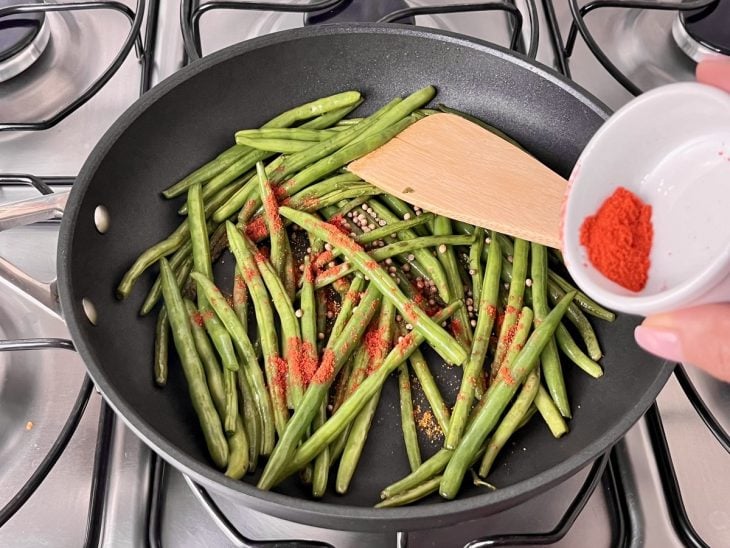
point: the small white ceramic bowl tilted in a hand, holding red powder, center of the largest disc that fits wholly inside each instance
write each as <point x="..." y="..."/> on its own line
<point x="670" y="147"/>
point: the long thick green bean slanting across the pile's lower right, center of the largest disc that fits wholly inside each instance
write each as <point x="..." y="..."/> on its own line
<point x="500" y="393"/>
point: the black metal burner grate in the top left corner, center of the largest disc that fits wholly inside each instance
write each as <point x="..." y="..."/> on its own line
<point x="134" y="38"/>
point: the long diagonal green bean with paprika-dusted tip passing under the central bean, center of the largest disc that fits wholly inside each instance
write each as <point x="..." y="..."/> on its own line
<point x="369" y="387"/>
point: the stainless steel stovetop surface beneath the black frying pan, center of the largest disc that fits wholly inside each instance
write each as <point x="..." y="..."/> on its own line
<point x="665" y="484"/>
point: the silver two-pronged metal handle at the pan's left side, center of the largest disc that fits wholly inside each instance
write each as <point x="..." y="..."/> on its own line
<point x="33" y="210"/>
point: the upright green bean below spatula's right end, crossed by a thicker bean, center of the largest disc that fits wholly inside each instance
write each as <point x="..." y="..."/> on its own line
<point x="550" y="360"/>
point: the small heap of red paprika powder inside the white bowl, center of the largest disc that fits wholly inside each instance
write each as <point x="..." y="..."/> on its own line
<point x="618" y="239"/>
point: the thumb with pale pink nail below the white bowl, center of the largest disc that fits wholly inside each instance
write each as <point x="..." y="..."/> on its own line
<point x="699" y="336"/>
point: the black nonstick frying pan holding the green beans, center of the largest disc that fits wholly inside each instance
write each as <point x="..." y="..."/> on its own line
<point x="189" y="118"/>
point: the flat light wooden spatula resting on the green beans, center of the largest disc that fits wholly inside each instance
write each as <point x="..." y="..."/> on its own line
<point x="451" y="166"/>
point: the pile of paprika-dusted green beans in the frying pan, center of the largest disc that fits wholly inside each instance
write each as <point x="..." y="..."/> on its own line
<point x="336" y="286"/>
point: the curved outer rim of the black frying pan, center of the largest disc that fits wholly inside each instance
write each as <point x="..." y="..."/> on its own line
<point x="285" y="506"/>
